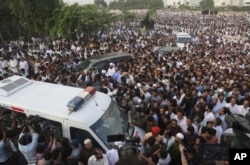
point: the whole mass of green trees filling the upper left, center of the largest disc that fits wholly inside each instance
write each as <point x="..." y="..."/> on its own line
<point x="36" y="18"/>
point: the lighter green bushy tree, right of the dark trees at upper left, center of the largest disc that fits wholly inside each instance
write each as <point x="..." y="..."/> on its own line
<point x="79" y="19"/>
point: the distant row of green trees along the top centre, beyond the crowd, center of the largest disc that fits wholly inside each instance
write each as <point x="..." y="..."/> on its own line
<point x="136" y="4"/>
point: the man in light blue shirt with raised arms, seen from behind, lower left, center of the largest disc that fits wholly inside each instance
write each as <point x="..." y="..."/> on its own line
<point x="27" y="143"/>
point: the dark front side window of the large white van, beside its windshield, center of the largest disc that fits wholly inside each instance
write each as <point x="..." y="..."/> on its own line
<point x="80" y="135"/>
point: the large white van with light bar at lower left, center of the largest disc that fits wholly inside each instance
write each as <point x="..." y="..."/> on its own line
<point x="75" y="113"/>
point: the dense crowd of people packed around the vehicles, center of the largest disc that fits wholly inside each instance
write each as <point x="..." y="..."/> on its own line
<point x="181" y="99"/>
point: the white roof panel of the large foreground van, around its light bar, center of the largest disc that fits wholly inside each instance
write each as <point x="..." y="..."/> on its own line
<point x="51" y="99"/>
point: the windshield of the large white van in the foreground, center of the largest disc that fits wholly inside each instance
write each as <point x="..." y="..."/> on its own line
<point x="113" y="122"/>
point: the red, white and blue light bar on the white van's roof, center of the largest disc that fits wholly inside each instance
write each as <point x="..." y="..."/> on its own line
<point x="75" y="103"/>
